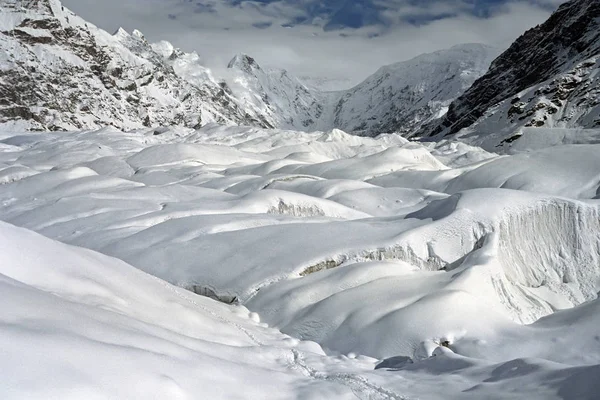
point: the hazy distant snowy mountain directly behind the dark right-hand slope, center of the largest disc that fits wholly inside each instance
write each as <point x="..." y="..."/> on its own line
<point x="403" y="96"/>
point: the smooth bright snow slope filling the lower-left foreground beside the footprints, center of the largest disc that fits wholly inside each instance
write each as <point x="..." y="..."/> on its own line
<point x="75" y="324"/>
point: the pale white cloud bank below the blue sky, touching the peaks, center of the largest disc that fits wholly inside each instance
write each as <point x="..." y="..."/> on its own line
<point x="306" y="49"/>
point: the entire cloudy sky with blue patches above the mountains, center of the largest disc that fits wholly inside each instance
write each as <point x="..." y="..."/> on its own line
<point x="341" y="41"/>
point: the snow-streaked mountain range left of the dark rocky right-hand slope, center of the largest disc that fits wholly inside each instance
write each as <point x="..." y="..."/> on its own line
<point x="59" y="72"/>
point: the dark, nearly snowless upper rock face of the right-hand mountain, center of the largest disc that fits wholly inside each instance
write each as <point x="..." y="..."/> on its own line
<point x="569" y="37"/>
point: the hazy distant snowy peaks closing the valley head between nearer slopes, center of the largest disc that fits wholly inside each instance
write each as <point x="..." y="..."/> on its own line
<point x="398" y="98"/>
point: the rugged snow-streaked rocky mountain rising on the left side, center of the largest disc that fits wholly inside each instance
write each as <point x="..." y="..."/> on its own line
<point x="59" y="72"/>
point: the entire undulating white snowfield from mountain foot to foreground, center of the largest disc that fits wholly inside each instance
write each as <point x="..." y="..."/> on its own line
<point x="325" y="265"/>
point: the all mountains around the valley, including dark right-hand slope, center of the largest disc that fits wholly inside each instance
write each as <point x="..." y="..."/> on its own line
<point x="59" y="72"/>
